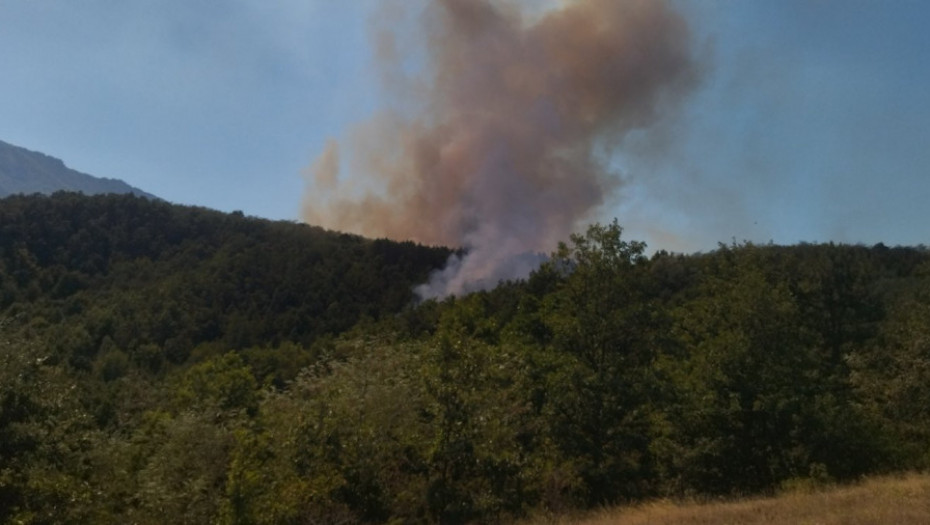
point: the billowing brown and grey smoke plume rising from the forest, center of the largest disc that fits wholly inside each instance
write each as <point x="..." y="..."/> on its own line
<point x="502" y="140"/>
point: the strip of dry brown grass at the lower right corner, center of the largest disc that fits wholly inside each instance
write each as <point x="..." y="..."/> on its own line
<point x="901" y="500"/>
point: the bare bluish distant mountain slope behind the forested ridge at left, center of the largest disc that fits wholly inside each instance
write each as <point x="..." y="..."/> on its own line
<point x="24" y="171"/>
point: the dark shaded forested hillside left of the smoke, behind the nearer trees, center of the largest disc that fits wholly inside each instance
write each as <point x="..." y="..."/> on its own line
<point x="156" y="282"/>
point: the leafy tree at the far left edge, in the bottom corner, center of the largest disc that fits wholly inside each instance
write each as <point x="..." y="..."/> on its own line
<point x="45" y="436"/>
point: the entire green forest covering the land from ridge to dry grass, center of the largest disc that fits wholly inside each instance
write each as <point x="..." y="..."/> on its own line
<point x="170" y="364"/>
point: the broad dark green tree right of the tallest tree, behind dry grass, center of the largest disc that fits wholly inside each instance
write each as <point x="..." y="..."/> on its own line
<point x="754" y="409"/>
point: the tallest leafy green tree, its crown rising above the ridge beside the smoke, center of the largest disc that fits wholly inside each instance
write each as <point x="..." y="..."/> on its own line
<point x="603" y="343"/>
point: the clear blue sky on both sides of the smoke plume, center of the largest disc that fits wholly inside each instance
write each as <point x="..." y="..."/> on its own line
<point x="811" y="121"/>
